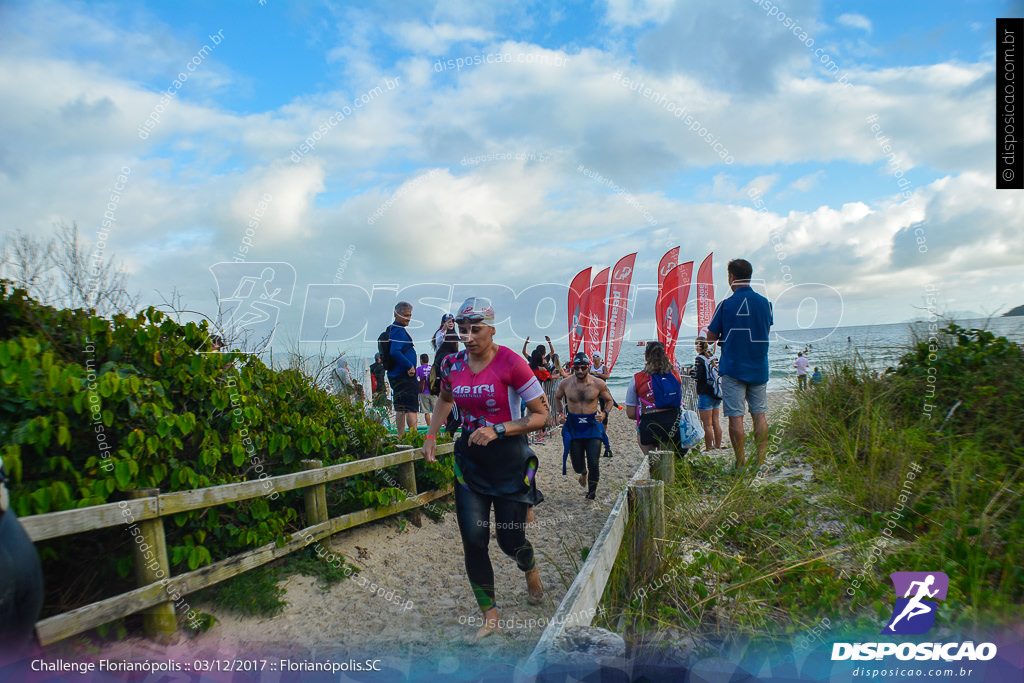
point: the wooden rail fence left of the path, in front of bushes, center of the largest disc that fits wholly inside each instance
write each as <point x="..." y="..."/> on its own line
<point x="149" y="507"/>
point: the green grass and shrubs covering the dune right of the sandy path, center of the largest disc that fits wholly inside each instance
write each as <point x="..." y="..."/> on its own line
<point x="878" y="475"/>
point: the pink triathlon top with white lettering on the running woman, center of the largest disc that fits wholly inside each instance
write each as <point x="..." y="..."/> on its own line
<point x="493" y="396"/>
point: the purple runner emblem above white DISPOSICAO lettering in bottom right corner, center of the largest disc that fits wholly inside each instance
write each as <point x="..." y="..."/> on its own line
<point x="914" y="615"/>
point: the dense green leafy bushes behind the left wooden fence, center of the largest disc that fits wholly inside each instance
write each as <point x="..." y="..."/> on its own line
<point x="93" y="408"/>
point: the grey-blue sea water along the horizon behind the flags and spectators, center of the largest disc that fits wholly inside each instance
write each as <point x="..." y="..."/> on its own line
<point x="879" y="346"/>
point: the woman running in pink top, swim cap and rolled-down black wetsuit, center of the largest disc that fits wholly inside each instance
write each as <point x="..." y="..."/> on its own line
<point x="493" y="463"/>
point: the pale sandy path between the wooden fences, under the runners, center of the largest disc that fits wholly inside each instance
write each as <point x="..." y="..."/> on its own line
<point x="428" y="608"/>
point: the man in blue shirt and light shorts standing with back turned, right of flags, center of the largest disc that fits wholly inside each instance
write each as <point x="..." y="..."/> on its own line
<point x="742" y="322"/>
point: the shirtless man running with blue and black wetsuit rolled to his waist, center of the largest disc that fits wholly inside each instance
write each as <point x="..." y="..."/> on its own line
<point x="583" y="433"/>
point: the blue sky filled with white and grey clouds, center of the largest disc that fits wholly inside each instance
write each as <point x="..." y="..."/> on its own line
<point x="844" y="149"/>
